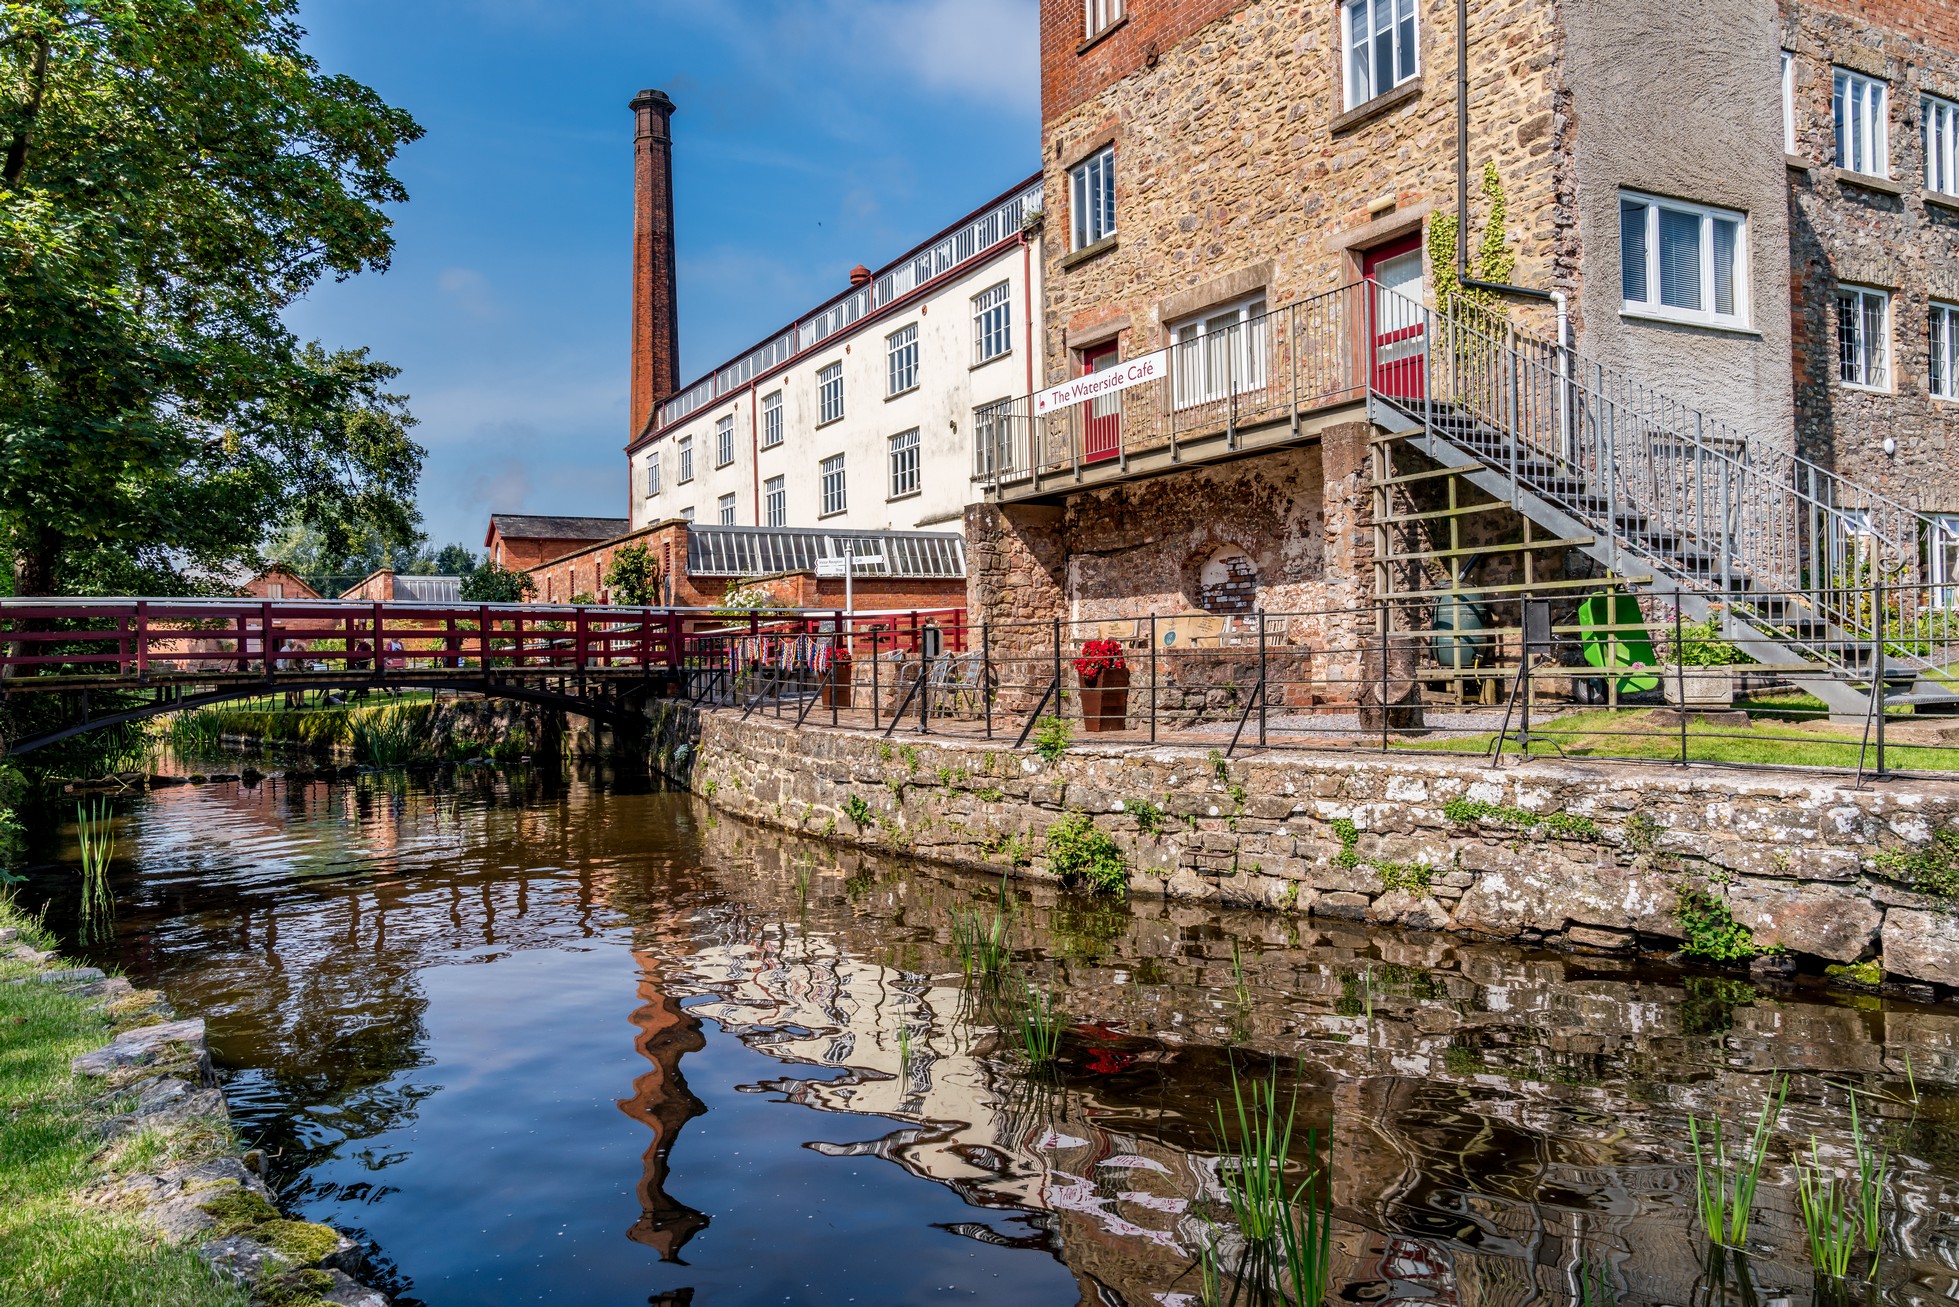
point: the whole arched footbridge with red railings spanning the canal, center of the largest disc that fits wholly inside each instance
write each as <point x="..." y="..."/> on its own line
<point x="124" y="659"/>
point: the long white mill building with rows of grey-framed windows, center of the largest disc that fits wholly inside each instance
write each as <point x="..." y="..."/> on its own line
<point x="861" y="414"/>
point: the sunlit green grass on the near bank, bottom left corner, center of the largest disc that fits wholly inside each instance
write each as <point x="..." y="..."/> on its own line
<point x="56" y="1253"/>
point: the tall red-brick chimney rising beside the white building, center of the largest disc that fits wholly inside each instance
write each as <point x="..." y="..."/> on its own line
<point x="655" y="315"/>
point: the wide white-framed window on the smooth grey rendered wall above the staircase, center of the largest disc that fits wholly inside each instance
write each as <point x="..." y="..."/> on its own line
<point x="1682" y="262"/>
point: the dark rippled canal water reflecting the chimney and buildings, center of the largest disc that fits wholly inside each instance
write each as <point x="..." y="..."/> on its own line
<point x="548" y="1040"/>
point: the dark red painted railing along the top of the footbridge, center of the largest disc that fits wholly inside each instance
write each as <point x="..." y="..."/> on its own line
<point x="46" y="644"/>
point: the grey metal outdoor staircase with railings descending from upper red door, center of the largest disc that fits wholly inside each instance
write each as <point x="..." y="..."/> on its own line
<point x="1813" y="575"/>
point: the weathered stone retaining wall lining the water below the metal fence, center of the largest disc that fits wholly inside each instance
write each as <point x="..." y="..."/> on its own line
<point x="1574" y="855"/>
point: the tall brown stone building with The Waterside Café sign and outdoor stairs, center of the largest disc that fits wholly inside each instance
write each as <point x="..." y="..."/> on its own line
<point x="1727" y="238"/>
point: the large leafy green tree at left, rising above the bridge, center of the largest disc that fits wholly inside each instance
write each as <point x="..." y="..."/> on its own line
<point x="175" y="175"/>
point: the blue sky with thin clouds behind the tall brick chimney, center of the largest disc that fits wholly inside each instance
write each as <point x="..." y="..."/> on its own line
<point x="812" y="136"/>
